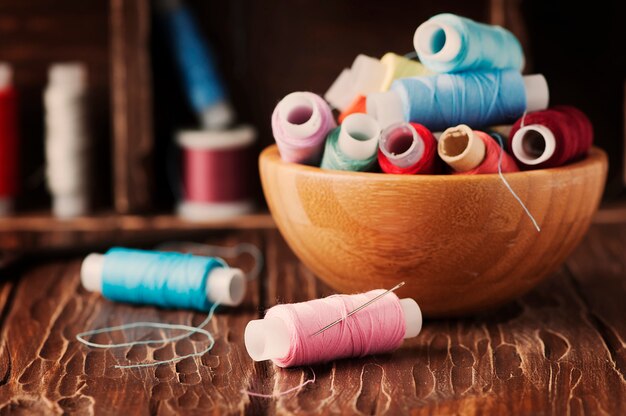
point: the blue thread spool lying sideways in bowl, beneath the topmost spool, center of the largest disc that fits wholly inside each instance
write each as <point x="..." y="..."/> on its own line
<point x="478" y="99"/>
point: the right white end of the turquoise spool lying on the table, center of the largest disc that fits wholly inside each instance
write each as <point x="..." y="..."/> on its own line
<point x="226" y="285"/>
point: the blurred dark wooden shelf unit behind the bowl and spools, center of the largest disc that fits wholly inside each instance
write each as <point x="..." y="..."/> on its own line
<point x="264" y="50"/>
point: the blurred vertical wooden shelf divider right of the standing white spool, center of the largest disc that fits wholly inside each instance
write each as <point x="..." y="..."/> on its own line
<point x="132" y="105"/>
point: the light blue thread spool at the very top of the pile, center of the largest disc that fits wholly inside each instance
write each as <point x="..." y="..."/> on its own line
<point x="450" y="43"/>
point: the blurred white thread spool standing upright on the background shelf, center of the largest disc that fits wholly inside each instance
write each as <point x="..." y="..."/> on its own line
<point x="67" y="139"/>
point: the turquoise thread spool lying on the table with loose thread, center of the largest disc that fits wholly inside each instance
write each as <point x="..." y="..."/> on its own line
<point x="165" y="279"/>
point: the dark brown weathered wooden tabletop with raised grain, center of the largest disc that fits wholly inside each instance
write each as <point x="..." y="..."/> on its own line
<point x="560" y="349"/>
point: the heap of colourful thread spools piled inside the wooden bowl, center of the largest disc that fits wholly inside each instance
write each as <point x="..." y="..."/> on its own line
<point x="463" y="108"/>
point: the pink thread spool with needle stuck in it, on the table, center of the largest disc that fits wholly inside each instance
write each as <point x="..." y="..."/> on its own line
<point x="285" y="335"/>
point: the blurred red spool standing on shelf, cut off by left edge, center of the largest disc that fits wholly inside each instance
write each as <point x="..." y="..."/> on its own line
<point x="8" y="140"/>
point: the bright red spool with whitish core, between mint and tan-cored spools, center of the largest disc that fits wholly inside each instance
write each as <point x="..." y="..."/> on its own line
<point x="407" y="149"/>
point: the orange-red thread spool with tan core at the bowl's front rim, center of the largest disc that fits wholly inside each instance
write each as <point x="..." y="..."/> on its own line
<point x="472" y="152"/>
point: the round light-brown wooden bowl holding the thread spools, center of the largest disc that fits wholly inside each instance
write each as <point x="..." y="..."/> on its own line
<point x="461" y="243"/>
